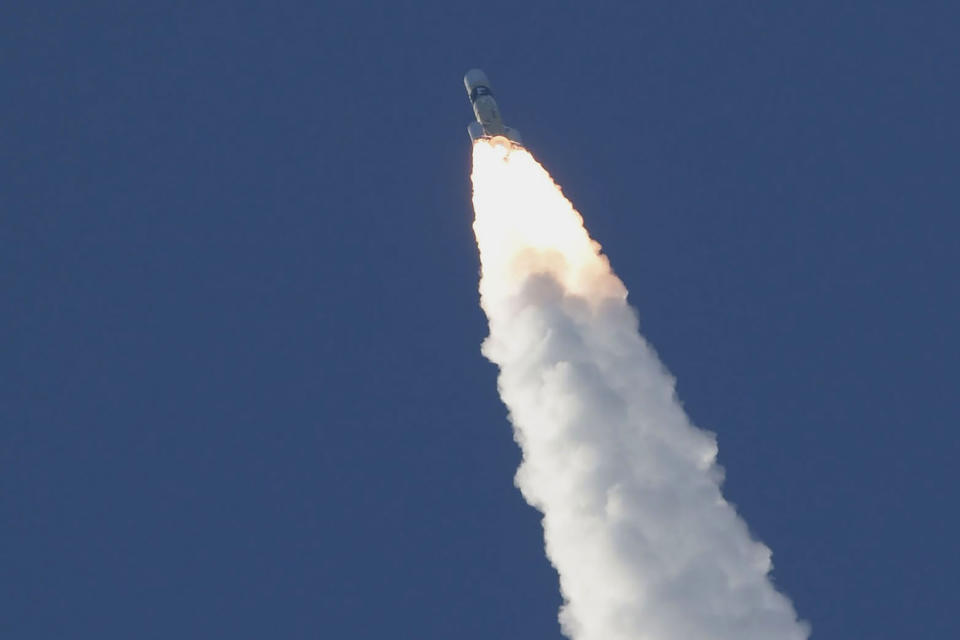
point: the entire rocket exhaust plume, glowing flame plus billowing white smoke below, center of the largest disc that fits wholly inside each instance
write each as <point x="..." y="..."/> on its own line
<point x="644" y="543"/>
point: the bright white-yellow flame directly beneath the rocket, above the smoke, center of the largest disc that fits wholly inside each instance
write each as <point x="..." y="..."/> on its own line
<point x="525" y="226"/>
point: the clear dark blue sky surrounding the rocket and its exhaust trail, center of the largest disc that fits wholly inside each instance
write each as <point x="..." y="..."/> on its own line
<point x="242" y="394"/>
